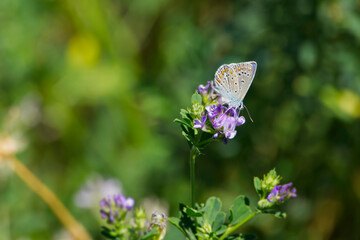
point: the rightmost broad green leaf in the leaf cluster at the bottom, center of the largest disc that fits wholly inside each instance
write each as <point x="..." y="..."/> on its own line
<point x="240" y="210"/>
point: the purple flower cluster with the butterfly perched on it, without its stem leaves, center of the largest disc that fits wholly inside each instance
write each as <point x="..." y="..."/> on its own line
<point x="216" y="118"/>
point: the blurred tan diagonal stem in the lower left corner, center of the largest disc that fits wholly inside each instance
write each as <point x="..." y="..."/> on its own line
<point x="76" y="230"/>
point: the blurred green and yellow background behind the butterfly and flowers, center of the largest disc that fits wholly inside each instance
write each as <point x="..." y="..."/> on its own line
<point x="92" y="88"/>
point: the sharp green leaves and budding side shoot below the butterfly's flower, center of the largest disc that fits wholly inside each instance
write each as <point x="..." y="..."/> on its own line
<point x="208" y="222"/>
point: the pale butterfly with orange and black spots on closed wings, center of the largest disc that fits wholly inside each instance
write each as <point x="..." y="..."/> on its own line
<point x="232" y="81"/>
